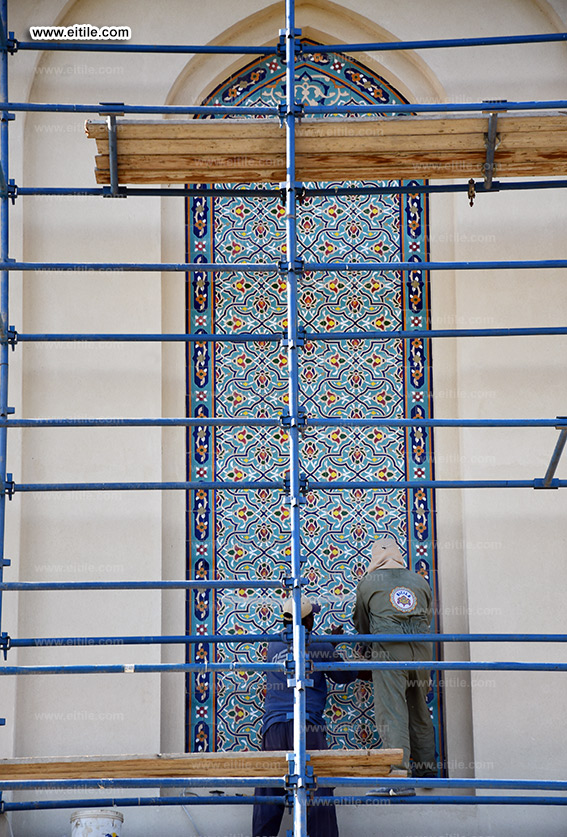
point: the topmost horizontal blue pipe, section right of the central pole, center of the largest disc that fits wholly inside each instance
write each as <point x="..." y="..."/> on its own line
<point x="439" y="43"/>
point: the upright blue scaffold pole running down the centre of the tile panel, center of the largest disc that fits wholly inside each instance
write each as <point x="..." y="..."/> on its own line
<point x="299" y="715"/>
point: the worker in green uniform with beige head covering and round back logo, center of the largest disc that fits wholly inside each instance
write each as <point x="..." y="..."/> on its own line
<point x="392" y="599"/>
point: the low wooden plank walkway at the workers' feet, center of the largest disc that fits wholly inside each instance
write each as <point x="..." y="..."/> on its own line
<point x="352" y="763"/>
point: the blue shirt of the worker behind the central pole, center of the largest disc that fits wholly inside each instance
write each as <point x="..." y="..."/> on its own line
<point x="278" y="705"/>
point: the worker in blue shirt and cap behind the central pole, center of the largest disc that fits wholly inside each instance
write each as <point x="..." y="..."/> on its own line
<point x="277" y="726"/>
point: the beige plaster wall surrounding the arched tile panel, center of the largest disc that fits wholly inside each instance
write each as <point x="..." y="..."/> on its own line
<point x="502" y="554"/>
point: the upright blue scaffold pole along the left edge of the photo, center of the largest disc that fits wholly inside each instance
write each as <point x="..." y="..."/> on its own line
<point x="4" y="281"/>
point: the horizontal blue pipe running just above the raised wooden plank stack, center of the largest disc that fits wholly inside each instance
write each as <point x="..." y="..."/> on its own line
<point x="224" y="110"/>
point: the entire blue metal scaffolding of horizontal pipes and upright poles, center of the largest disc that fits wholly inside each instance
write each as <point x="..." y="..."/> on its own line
<point x="297" y="783"/>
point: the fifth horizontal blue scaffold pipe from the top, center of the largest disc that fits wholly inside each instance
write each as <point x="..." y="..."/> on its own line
<point x="267" y="337"/>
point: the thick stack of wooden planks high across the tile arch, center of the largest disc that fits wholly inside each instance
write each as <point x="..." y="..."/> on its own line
<point x="253" y="150"/>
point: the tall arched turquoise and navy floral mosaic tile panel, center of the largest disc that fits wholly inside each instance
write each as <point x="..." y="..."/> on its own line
<point x="246" y="534"/>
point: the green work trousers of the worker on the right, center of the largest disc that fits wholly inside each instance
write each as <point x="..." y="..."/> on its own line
<point x="402" y="715"/>
